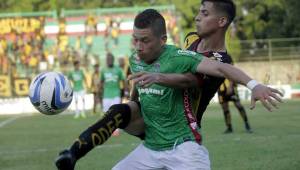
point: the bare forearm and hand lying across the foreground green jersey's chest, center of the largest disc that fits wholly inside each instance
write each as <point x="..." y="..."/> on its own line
<point x="145" y="79"/>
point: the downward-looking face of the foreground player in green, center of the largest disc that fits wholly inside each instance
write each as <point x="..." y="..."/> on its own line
<point x="147" y="45"/>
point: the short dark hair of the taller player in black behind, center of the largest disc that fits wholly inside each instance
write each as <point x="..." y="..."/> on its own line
<point x="226" y="6"/>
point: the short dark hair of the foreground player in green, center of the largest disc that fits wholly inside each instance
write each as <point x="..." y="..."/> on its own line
<point x="151" y="18"/>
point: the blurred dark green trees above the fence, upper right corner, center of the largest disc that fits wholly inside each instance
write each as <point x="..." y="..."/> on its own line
<point x="268" y="19"/>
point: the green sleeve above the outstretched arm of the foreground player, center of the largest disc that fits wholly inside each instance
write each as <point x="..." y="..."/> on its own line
<point x="186" y="61"/>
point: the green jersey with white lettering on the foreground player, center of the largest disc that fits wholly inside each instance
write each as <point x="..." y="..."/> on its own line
<point x="167" y="112"/>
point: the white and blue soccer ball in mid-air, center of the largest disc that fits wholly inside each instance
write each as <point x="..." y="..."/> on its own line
<point x="50" y="93"/>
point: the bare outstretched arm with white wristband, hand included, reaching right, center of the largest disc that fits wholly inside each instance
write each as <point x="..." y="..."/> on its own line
<point x="268" y="96"/>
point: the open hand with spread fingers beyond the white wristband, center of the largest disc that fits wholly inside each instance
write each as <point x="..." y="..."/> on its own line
<point x="267" y="96"/>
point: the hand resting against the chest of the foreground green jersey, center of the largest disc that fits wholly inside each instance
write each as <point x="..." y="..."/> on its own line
<point x="144" y="79"/>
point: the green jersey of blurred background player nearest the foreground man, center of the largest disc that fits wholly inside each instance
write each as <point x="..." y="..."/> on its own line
<point x="111" y="78"/>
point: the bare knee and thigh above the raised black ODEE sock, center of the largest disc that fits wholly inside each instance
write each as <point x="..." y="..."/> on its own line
<point x="136" y="125"/>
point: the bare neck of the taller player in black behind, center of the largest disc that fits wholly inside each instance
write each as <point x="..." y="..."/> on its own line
<point x="213" y="43"/>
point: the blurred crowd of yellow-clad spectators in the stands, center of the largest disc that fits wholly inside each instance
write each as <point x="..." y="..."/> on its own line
<point x="26" y="53"/>
